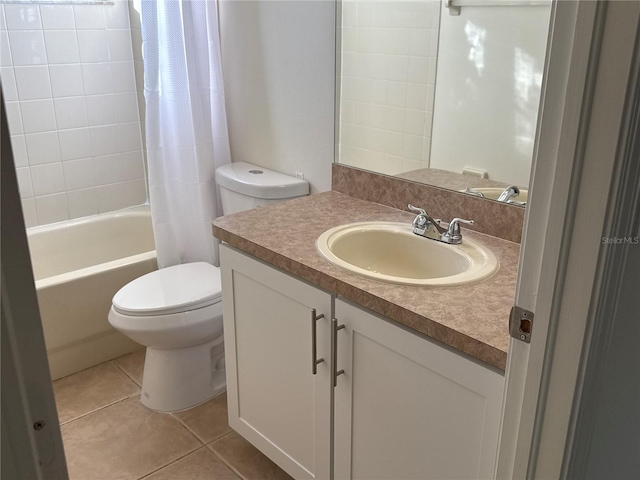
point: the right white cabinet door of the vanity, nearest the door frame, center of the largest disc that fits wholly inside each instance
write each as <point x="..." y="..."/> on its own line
<point x="408" y="407"/>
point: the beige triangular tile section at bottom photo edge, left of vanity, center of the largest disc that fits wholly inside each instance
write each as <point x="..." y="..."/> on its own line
<point x="200" y="465"/>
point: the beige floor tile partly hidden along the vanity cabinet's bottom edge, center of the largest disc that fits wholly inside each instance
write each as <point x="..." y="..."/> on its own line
<point x="246" y="459"/>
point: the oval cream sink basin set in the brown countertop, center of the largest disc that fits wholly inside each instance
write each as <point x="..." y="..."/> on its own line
<point x="391" y="252"/>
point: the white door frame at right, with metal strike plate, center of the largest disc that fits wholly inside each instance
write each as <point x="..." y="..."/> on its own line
<point x="589" y="62"/>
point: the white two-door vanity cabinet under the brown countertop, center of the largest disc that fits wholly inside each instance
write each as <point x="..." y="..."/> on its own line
<point x="404" y="406"/>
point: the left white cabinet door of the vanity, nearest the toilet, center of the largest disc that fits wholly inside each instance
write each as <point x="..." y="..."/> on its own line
<point x="275" y="401"/>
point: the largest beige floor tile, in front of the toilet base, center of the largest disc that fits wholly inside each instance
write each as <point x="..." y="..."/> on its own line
<point x="124" y="441"/>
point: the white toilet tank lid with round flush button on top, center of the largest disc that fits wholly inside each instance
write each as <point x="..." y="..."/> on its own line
<point x="259" y="182"/>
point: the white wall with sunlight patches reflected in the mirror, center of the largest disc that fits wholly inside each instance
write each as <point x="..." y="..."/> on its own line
<point x="490" y="65"/>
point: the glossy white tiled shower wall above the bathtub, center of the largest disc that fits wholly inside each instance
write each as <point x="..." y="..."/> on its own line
<point x="70" y="91"/>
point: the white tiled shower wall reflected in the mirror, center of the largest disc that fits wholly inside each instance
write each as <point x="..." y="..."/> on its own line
<point x="388" y="71"/>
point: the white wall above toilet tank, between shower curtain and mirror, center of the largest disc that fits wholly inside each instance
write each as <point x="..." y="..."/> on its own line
<point x="278" y="59"/>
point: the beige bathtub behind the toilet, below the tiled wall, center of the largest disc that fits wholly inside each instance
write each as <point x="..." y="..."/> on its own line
<point x="78" y="266"/>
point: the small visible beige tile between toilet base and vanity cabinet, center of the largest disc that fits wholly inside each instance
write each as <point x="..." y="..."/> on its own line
<point x="208" y="421"/>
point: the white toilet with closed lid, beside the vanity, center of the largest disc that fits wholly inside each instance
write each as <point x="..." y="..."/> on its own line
<point x="176" y="312"/>
